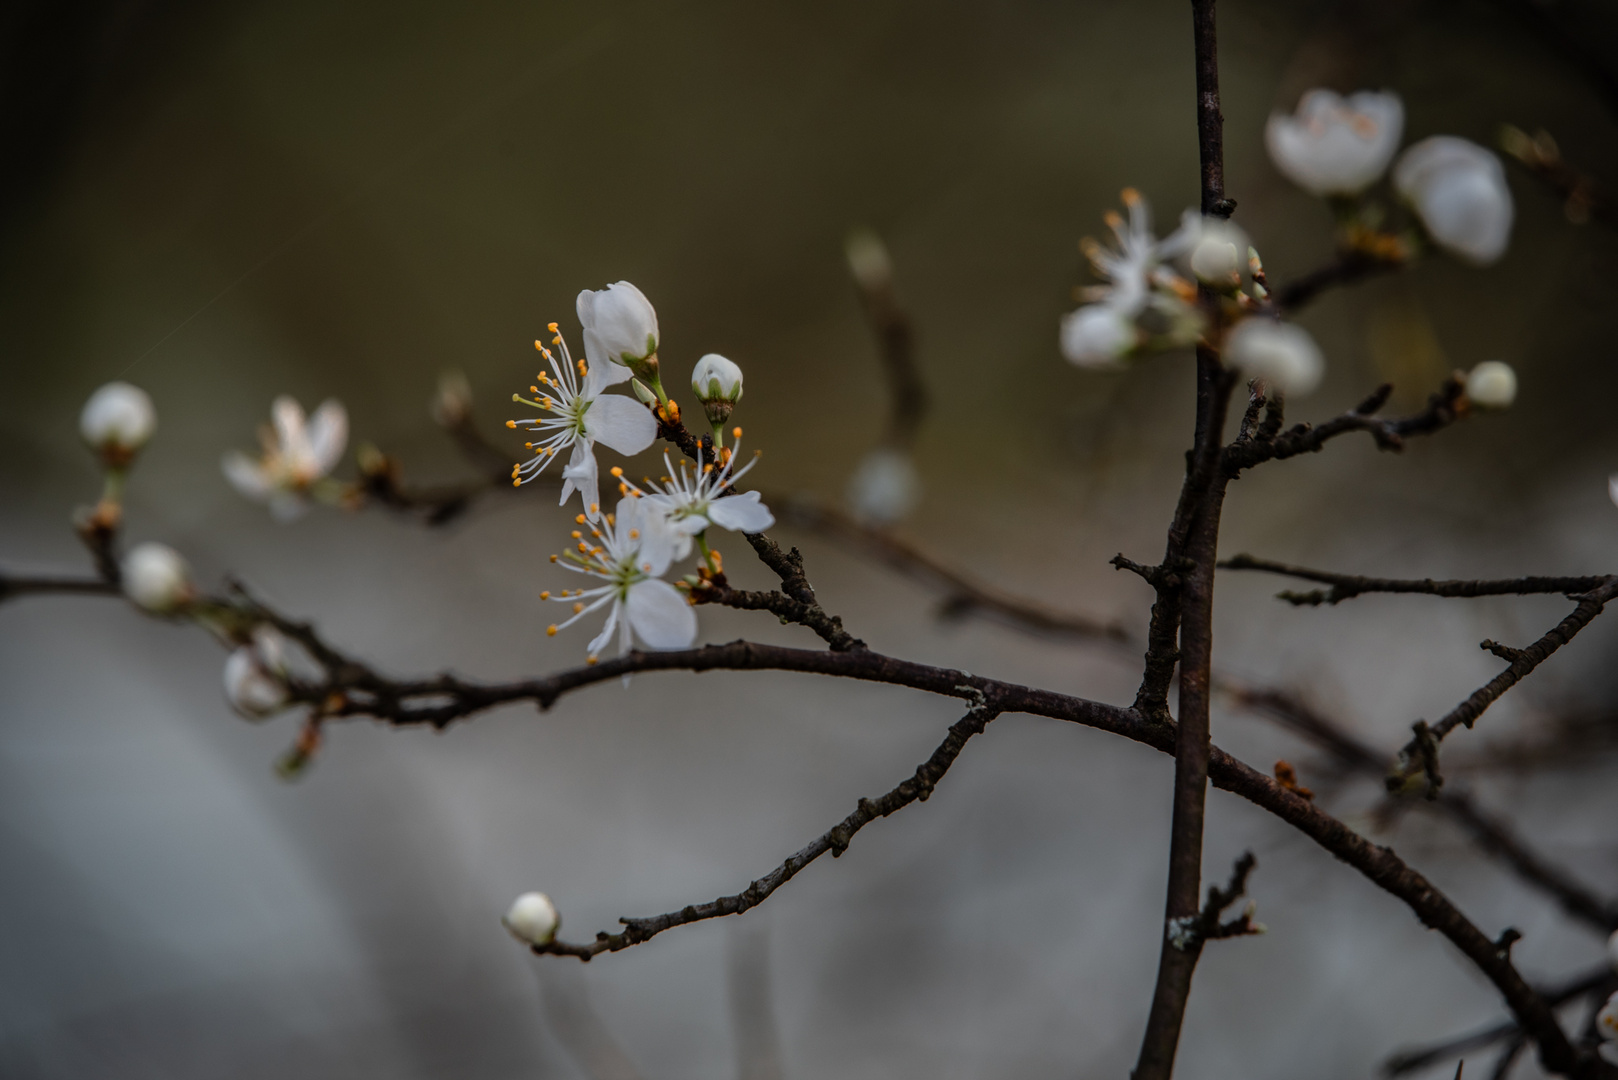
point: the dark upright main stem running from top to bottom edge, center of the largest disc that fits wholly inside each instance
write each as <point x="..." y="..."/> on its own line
<point x="1201" y="503"/>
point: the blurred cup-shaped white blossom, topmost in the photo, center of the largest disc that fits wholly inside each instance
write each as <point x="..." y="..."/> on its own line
<point x="1336" y="145"/>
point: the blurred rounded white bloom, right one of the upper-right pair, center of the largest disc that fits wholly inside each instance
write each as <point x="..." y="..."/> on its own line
<point x="1460" y="193"/>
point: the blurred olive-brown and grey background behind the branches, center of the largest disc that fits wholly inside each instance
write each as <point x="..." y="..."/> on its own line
<point x="222" y="203"/>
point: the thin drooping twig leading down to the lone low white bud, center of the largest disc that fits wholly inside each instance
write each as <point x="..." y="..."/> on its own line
<point x="836" y="840"/>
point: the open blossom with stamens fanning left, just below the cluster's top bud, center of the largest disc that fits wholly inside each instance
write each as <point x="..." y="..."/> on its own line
<point x="580" y="415"/>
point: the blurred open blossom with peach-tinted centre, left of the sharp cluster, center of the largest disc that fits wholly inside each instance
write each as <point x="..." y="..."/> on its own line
<point x="299" y="454"/>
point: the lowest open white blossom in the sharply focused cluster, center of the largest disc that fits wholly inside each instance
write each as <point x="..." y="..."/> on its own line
<point x="630" y="551"/>
